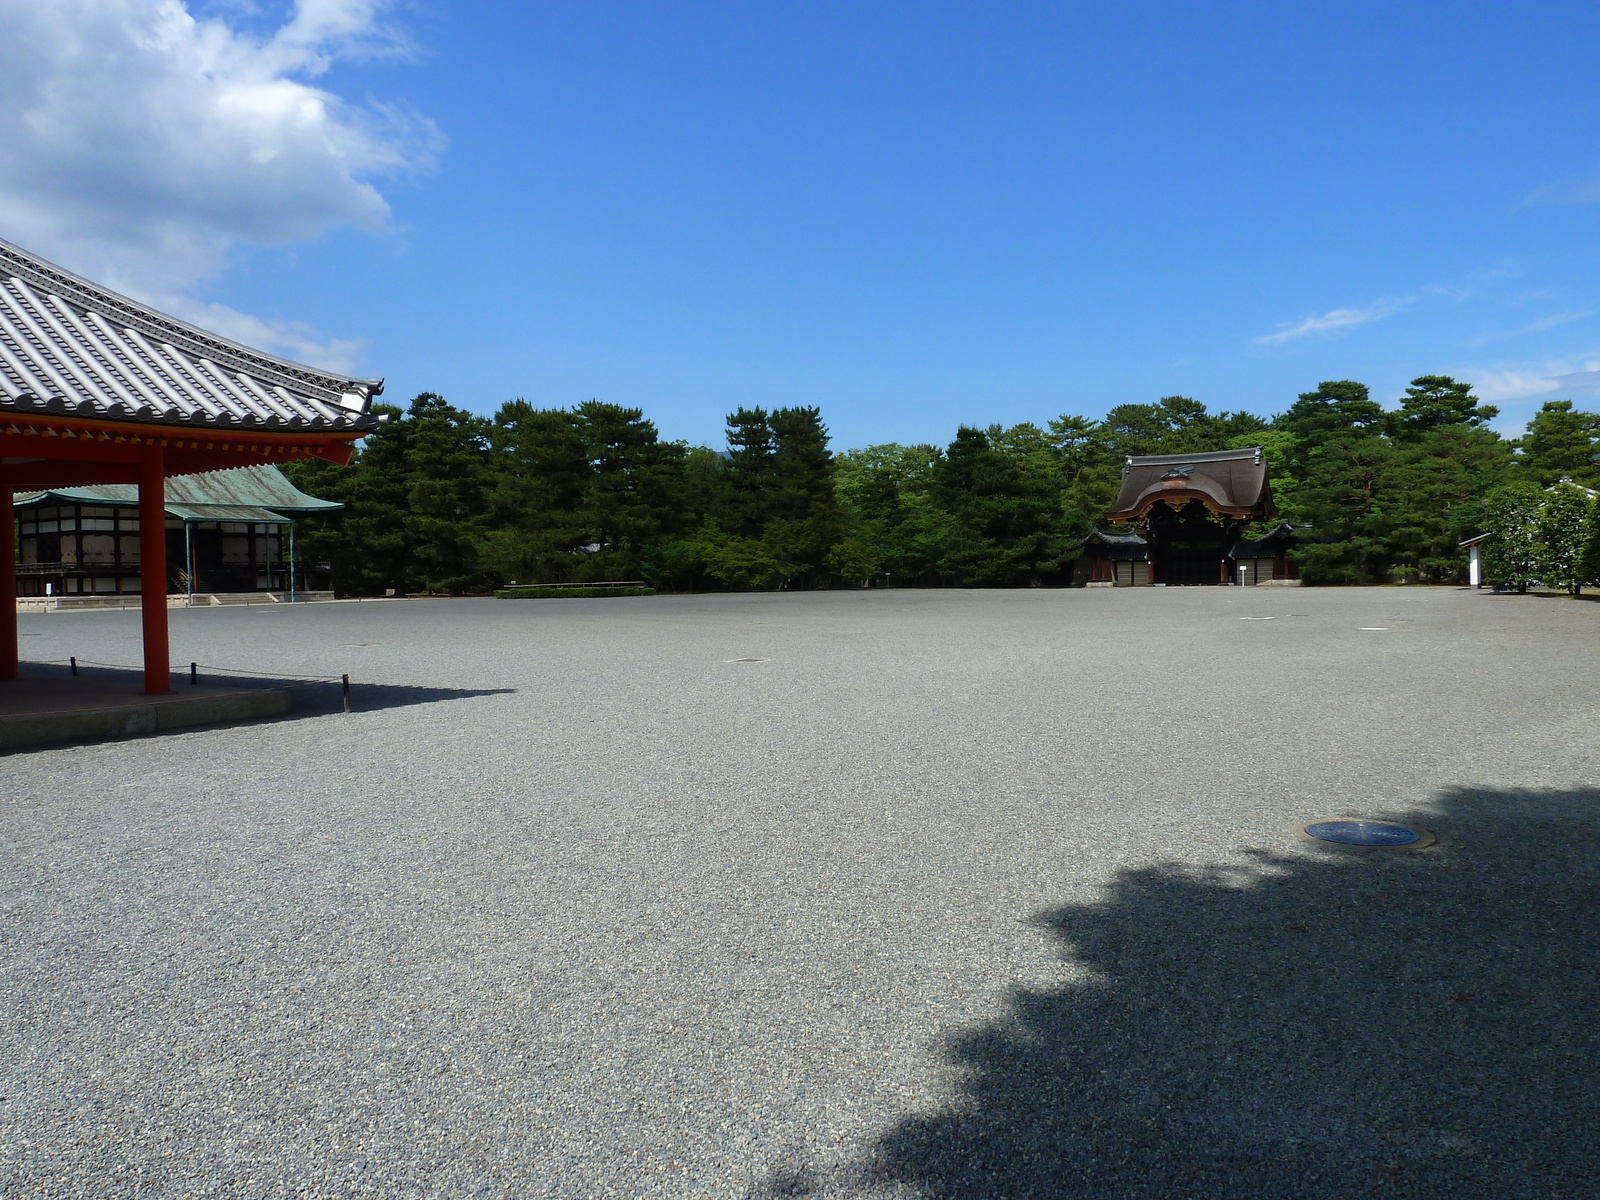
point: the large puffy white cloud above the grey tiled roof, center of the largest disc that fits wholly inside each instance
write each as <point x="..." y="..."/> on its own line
<point x="143" y="146"/>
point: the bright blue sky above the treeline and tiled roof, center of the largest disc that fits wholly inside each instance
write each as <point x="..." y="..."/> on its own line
<point x="911" y="215"/>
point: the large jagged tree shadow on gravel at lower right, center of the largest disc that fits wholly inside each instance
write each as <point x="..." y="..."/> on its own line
<point x="1332" y="1023"/>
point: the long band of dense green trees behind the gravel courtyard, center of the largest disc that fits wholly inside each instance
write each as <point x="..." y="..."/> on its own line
<point x="446" y="502"/>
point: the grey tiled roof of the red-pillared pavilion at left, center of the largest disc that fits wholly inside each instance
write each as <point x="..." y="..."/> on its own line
<point x="78" y="350"/>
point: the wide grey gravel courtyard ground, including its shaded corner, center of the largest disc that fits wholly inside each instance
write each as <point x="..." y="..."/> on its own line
<point x="951" y="895"/>
